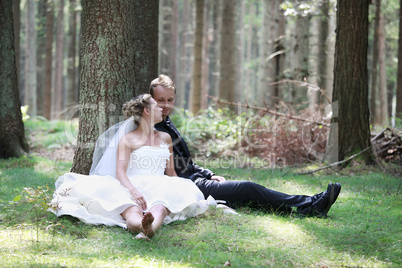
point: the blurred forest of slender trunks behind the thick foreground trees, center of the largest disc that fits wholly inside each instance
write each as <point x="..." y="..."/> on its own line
<point x="281" y="51"/>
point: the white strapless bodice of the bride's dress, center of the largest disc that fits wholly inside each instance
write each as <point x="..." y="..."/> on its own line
<point x="148" y="160"/>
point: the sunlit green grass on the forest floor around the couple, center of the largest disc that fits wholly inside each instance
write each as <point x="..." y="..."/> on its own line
<point x="363" y="228"/>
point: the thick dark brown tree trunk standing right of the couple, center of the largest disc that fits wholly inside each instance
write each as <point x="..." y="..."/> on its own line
<point x="350" y="125"/>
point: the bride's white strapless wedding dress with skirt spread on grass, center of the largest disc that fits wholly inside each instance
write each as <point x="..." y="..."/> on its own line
<point x="98" y="199"/>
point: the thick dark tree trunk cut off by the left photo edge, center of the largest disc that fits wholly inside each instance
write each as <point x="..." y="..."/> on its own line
<point x="12" y="134"/>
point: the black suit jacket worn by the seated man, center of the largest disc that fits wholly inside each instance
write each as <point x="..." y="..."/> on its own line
<point x="184" y="165"/>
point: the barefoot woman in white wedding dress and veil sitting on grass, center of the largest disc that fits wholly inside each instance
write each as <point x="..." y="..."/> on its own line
<point x="132" y="182"/>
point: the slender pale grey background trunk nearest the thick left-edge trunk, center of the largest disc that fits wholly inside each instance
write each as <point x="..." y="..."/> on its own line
<point x="30" y="56"/>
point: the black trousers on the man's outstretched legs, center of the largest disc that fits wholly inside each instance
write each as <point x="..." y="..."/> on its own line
<point x="247" y="193"/>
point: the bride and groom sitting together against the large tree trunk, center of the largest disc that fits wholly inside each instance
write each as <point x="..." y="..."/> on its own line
<point x="142" y="175"/>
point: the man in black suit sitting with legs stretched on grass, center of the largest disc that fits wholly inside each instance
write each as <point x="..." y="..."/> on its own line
<point x="236" y="193"/>
